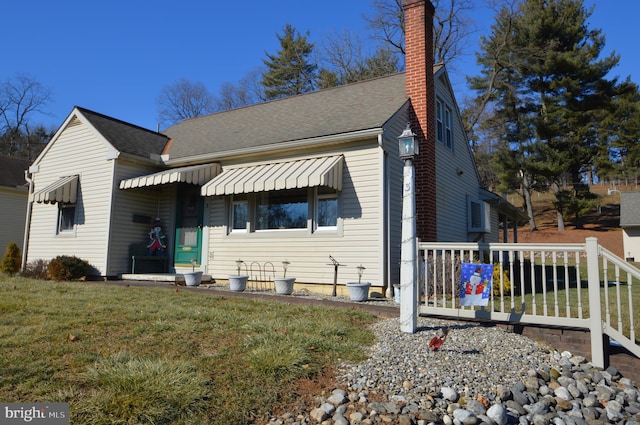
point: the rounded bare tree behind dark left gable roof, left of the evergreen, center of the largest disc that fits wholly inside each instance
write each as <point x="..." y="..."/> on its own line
<point x="184" y="99"/>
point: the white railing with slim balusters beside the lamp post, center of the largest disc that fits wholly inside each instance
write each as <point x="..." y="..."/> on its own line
<point x="568" y="285"/>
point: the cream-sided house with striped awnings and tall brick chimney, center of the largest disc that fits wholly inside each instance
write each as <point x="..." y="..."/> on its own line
<point x="297" y="179"/>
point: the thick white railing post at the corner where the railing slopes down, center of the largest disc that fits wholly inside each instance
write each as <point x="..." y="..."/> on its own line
<point x="595" y="309"/>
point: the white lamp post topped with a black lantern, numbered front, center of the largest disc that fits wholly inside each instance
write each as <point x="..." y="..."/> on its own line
<point x="408" y="257"/>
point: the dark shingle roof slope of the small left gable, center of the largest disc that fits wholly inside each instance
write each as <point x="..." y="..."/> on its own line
<point x="127" y="137"/>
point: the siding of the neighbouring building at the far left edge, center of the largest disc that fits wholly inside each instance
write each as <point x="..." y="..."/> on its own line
<point x="14" y="209"/>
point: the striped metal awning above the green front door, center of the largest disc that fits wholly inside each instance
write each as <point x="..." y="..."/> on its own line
<point x="195" y="174"/>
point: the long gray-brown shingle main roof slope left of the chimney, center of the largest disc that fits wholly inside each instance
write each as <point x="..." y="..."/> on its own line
<point x="360" y="106"/>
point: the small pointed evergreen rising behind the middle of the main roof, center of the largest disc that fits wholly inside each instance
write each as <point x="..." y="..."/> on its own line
<point x="289" y="72"/>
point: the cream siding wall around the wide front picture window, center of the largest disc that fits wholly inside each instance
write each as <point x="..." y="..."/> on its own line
<point x="358" y="239"/>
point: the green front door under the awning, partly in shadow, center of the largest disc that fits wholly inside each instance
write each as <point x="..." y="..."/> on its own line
<point x="188" y="225"/>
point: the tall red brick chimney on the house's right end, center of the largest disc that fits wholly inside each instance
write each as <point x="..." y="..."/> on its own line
<point x="418" y="25"/>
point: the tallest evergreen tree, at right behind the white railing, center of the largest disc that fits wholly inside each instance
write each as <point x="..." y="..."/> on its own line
<point x="542" y="73"/>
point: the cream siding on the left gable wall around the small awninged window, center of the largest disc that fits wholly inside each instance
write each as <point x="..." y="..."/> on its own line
<point x="76" y="151"/>
